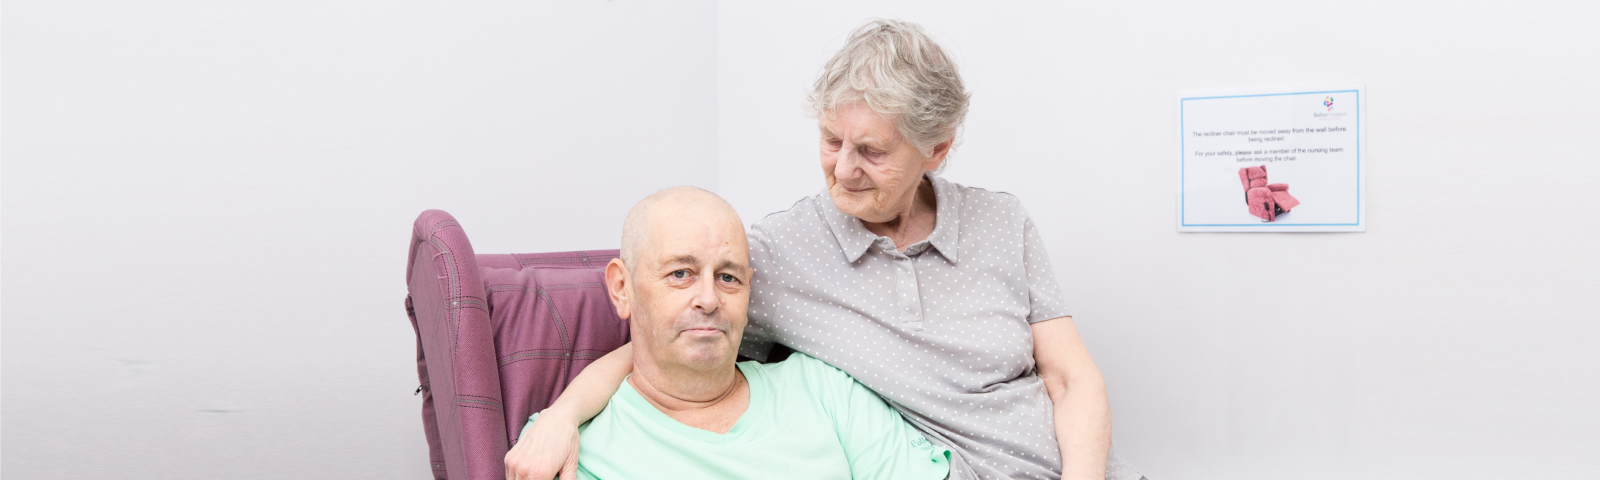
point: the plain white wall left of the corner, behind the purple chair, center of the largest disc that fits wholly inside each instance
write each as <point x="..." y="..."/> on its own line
<point x="207" y="209"/>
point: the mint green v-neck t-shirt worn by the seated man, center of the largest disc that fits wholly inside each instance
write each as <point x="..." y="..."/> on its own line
<point x="807" y="420"/>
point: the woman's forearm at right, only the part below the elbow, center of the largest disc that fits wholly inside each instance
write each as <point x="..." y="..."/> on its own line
<point x="1082" y="428"/>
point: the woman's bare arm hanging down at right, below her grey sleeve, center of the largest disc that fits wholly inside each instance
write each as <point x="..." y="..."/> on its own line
<point x="1079" y="398"/>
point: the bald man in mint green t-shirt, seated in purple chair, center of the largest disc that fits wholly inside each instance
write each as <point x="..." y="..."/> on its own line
<point x="689" y="410"/>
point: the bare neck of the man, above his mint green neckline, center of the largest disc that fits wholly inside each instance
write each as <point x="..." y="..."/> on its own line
<point x="708" y="401"/>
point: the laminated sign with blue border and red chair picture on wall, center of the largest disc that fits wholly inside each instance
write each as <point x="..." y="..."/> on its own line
<point x="1273" y="161"/>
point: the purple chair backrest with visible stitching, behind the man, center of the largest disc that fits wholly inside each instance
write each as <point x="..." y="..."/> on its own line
<point x="498" y="340"/>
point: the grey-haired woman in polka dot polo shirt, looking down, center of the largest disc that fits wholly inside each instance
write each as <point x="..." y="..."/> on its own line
<point x="935" y="295"/>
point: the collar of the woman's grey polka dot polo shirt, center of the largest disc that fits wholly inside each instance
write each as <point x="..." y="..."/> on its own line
<point x="855" y="239"/>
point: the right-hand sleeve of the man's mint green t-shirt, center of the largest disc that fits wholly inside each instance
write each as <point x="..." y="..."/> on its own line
<point x="879" y="444"/>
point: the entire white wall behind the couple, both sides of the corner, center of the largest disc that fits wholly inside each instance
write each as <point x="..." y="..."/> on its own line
<point x="206" y="212"/>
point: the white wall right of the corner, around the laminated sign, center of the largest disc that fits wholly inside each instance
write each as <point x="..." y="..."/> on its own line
<point x="1454" y="340"/>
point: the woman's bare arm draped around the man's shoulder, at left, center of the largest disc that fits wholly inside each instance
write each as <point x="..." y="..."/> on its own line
<point x="550" y="447"/>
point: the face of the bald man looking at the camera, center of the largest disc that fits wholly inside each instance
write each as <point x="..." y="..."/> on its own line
<point x="690" y="290"/>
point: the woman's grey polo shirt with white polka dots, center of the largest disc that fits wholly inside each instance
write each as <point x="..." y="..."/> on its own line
<point x="940" y="330"/>
